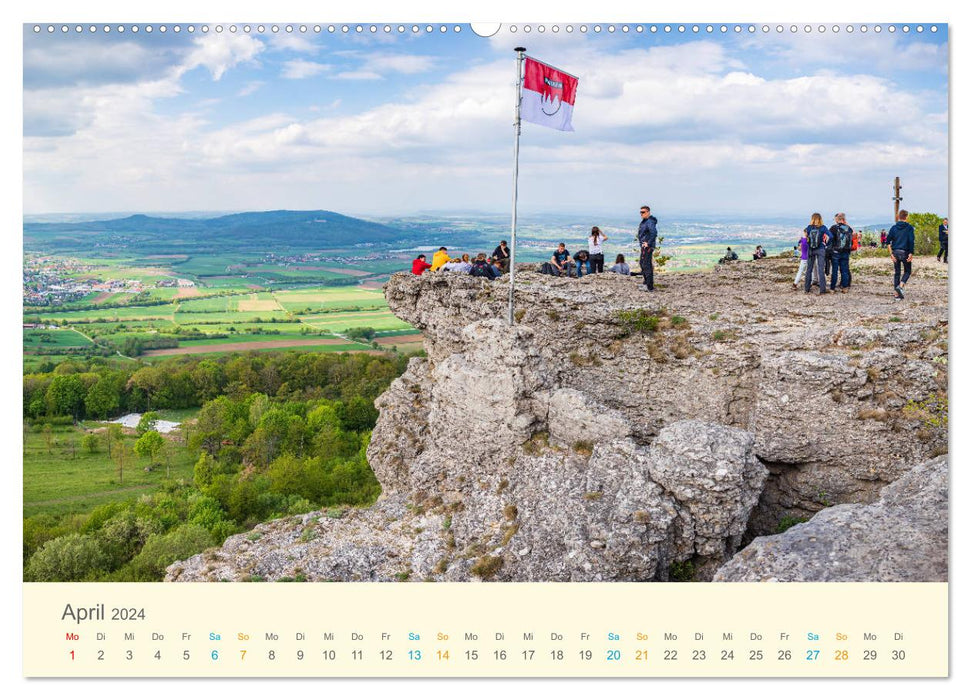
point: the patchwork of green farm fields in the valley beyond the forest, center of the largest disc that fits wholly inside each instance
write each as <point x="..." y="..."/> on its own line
<point x="228" y="306"/>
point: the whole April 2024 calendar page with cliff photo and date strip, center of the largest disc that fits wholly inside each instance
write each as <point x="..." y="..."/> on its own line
<point x="461" y="350"/>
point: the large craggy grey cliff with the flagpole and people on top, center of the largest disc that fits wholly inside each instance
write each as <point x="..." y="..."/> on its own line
<point x="613" y="434"/>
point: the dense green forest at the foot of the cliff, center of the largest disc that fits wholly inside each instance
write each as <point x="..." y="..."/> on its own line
<point x="263" y="447"/>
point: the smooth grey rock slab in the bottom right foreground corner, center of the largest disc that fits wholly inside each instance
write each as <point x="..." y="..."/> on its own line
<point x="900" y="537"/>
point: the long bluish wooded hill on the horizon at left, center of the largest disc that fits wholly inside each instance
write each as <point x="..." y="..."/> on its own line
<point x="246" y="232"/>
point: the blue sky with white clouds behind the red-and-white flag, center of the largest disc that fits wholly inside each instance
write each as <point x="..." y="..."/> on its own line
<point x="737" y="124"/>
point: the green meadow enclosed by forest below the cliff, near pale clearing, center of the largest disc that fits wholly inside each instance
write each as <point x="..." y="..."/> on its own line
<point x="63" y="478"/>
